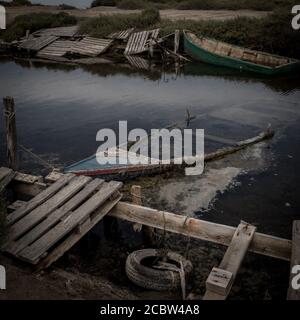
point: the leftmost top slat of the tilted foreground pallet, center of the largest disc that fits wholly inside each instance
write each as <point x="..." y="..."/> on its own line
<point x="40" y="198"/>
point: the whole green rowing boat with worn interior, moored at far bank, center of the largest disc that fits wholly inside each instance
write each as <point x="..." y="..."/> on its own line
<point x="227" y="55"/>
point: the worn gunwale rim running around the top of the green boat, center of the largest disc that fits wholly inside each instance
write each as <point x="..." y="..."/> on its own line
<point x="292" y="61"/>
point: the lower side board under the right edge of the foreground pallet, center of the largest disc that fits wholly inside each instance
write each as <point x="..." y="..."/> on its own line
<point x="74" y="237"/>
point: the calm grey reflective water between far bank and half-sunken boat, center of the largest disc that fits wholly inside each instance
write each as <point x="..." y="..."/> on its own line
<point x="61" y="108"/>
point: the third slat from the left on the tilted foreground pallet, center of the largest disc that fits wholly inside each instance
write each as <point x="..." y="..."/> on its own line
<point x="54" y="217"/>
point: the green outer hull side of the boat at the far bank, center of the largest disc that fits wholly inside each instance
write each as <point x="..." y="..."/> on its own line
<point x="201" y="54"/>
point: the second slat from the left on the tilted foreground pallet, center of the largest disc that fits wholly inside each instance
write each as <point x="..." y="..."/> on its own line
<point x="38" y="214"/>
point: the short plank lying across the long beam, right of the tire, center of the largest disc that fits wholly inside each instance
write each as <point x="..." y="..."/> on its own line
<point x="232" y="260"/>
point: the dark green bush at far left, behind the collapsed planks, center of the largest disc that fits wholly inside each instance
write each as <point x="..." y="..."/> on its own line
<point x="36" y="21"/>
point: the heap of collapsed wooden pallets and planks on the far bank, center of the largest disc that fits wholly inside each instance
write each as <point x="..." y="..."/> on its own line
<point x="66" y="44"/>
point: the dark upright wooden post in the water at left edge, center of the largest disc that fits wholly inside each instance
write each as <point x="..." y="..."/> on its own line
<point x="11" y="132"/>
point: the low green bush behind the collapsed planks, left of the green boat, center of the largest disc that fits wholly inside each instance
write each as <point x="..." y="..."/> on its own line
<point x="104" y="25"/>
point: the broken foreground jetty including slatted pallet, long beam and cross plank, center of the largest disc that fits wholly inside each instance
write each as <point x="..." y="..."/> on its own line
<point x="65" y="207"/>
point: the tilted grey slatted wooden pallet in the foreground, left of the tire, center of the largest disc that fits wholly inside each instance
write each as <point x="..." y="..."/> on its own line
<point x="44" y="228"/>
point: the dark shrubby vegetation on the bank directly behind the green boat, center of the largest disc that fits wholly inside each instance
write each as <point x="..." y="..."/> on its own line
<point x="271" y="34"/>
